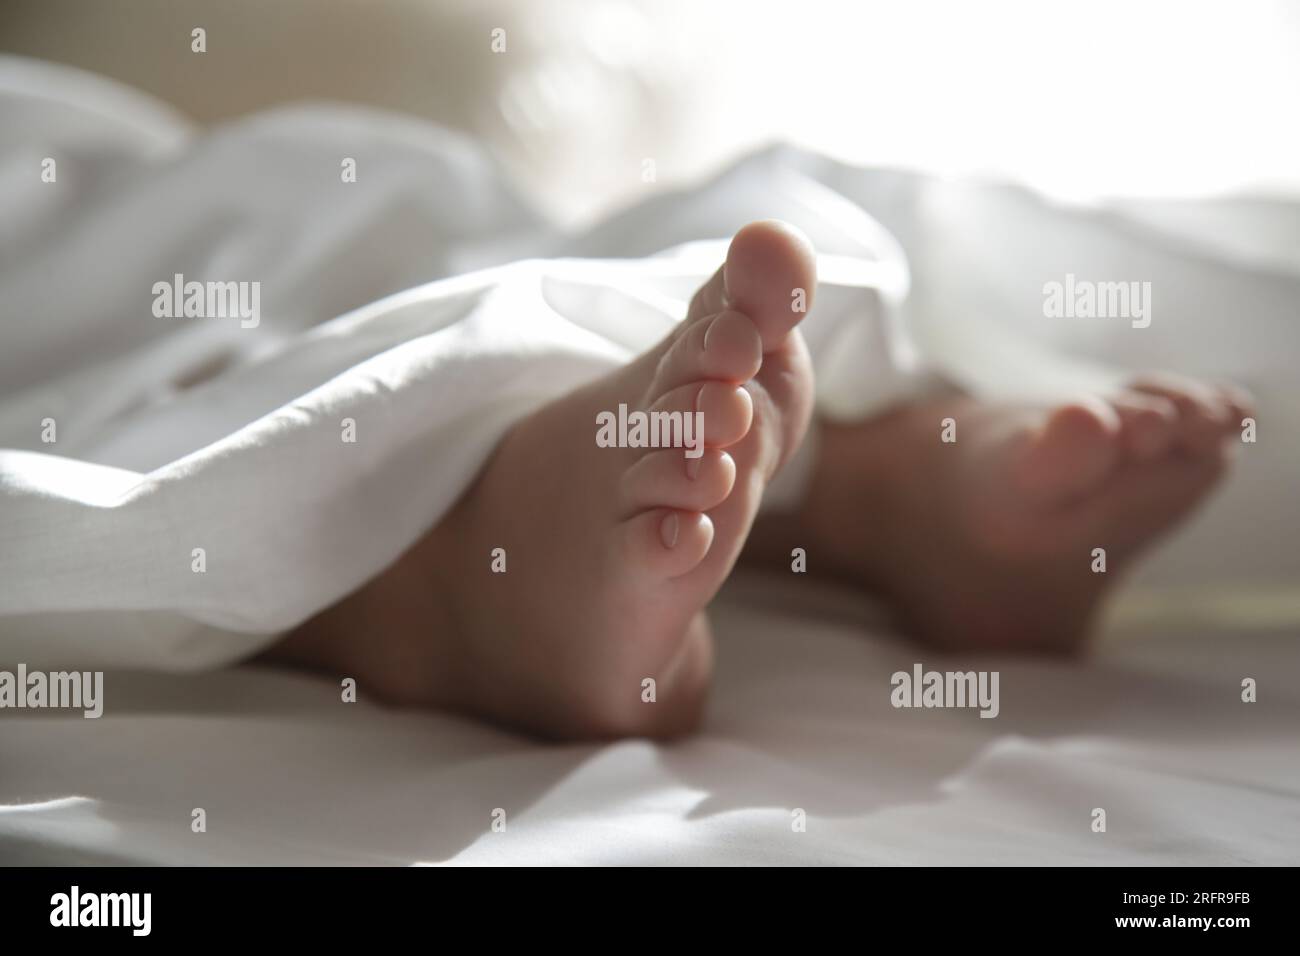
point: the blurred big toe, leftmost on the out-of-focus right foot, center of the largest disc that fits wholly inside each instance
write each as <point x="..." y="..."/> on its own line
<point x="1077" y="448"/>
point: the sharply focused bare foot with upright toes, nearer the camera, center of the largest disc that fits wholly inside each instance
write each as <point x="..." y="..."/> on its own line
<point x="612" y="553"/>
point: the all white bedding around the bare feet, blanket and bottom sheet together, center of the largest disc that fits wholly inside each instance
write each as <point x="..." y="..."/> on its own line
<point x="176" y="435"/>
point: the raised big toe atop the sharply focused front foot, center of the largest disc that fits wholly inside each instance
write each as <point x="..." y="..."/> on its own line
<point x="770" y="275"/>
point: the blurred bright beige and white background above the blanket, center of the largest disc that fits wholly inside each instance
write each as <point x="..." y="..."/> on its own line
<point x="1081" y="101"/>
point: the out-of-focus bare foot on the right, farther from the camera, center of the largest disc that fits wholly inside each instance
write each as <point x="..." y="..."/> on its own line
<point x="989" y="542"/>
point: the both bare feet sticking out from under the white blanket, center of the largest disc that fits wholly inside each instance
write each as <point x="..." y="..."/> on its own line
<point x="616" y="553"/>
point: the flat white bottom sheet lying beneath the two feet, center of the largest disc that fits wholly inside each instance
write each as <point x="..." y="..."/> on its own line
<point x="1154" y="732"/>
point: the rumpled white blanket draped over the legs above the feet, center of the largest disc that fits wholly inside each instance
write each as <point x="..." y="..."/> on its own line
<point x="249" y="464"/>
